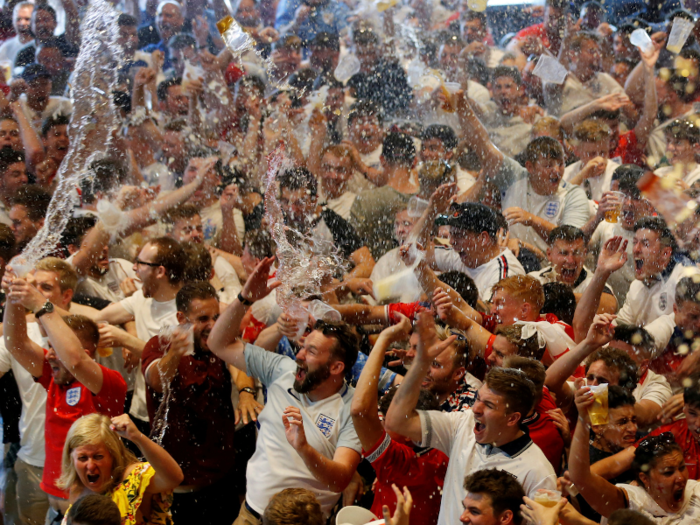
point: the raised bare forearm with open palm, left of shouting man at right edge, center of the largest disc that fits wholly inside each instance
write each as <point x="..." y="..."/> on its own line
<point x="612" y="257"/>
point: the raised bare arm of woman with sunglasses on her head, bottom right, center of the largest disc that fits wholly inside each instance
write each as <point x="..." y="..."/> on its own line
<point x="603" y="496"/>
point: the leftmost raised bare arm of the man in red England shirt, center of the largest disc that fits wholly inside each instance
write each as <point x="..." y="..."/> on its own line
<point x="24" y="350"/>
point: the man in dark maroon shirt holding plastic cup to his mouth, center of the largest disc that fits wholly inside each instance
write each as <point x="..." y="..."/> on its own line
<point x="200" y="430"/>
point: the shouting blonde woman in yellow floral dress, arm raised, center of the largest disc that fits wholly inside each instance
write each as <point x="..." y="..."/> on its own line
<point x="96" y="461"/>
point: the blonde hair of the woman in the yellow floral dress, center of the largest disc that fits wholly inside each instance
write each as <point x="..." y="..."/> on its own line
<point x="94" y="429"/>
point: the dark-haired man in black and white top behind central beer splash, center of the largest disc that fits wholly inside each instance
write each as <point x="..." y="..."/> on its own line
<point x="299" y="201"/>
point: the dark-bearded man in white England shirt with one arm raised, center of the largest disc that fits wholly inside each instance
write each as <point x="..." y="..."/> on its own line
<point x="306" y="437"/>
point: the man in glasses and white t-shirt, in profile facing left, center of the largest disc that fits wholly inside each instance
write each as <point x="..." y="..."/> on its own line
<point x="159" y="266"/>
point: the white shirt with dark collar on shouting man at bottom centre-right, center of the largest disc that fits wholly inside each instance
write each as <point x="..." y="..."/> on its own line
<point x="453" y="433"/>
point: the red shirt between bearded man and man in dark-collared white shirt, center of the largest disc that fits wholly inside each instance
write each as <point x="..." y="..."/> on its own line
<point x="422" y="472"/>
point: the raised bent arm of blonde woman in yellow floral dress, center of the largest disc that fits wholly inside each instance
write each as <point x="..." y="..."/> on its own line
<point x="168" y="473"/>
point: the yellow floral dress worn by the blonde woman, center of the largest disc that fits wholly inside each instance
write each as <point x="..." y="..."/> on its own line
<point x="128" y="496"/>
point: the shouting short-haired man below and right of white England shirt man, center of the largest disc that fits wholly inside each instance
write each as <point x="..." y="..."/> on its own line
<point x="567" y="253"/>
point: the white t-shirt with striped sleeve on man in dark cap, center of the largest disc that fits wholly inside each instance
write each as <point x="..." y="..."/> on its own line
<point x="485" y="276"/>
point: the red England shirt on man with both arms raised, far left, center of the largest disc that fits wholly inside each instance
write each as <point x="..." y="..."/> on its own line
<point x="65" y="404"/>
